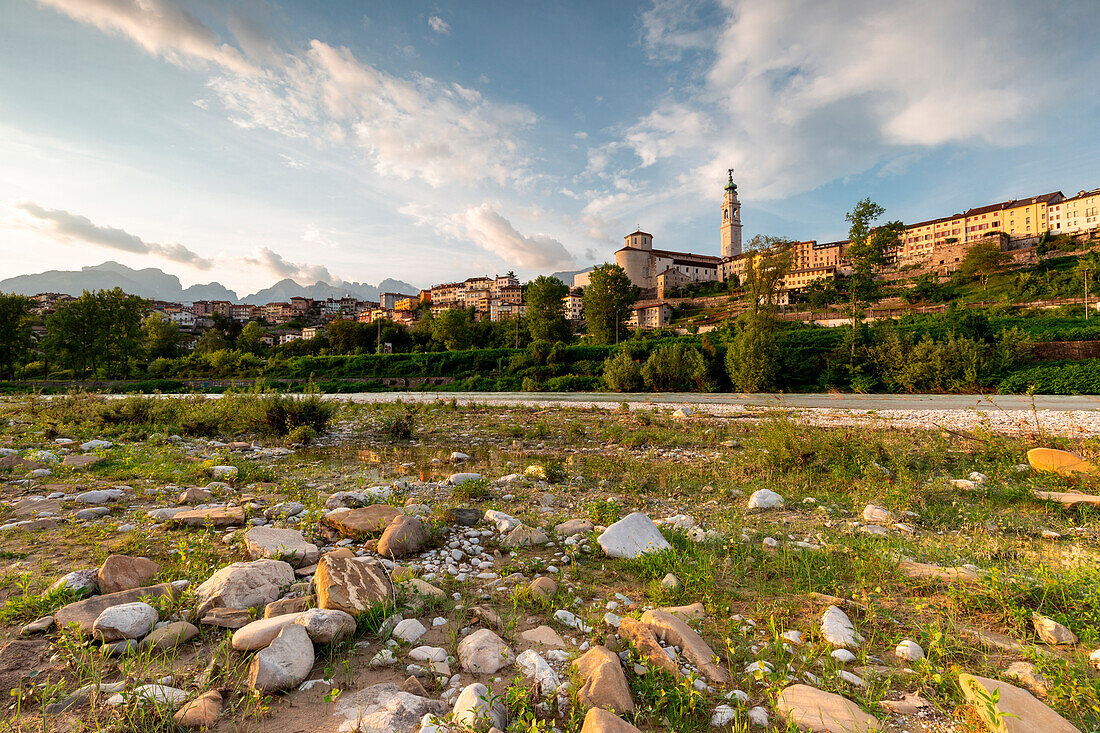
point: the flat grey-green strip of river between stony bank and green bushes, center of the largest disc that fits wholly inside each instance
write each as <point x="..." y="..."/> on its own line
<point x="853" y="402"/>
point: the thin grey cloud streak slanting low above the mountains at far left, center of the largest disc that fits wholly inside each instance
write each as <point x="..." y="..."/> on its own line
<point x="75" y="229"/>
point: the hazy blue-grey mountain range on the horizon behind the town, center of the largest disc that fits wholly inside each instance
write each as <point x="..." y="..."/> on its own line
<point x="157" y="285"/>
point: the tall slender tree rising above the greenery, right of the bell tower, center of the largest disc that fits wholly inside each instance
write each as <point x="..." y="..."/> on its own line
<point x="867" y="253"/>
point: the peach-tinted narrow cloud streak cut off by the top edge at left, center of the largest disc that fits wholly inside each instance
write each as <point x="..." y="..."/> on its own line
<point x="160" y="27"/>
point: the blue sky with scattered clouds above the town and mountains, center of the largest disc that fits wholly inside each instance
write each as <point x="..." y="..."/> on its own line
<point x="249" y="141"/>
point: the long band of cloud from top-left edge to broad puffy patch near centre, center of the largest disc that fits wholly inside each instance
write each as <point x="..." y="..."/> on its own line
<point x="415" y="128"/>
